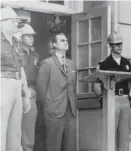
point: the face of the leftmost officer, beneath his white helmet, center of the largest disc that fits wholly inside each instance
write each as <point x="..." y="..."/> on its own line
<point x="10" y="25"/>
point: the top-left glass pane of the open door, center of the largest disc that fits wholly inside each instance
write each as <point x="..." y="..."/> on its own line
<point x="83" y="30"/>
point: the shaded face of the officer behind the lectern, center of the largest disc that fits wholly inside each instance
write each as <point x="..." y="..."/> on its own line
<point x="117" y="48"/>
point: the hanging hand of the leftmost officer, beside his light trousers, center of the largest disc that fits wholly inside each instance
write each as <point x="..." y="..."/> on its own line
<point x="26" y="104"/>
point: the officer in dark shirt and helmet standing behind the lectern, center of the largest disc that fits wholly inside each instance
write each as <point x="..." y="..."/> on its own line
<point x="115" y="62"/>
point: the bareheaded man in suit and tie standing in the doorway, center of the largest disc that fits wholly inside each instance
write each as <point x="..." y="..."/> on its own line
<point x="57" y="92"/>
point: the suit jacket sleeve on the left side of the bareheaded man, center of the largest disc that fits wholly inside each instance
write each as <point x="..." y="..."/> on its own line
<point x="42" y="81"/>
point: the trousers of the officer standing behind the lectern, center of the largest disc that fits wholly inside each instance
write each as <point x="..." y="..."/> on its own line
<point x="122" y="122"/>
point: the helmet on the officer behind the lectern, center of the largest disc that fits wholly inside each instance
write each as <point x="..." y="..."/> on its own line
<point x="114" y="38"/>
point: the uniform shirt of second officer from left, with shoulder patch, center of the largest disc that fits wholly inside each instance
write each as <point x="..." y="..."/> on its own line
<point x="30" y="63"/>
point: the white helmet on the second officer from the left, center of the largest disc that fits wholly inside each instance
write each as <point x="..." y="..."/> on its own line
<point x="27" y="29"/>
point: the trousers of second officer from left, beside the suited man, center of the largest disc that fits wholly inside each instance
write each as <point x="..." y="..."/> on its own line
<point x="28" y="125"/>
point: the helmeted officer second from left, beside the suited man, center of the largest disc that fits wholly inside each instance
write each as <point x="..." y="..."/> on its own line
<point x="30" y="61"/>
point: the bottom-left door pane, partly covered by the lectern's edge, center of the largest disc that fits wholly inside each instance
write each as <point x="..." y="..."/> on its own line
<point x="82" y="87"/>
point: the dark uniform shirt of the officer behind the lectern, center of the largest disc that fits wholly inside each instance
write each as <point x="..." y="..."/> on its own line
<point x="110" y="64"/>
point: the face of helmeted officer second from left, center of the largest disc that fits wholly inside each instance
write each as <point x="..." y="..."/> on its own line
<point x="28" y="40"/>
